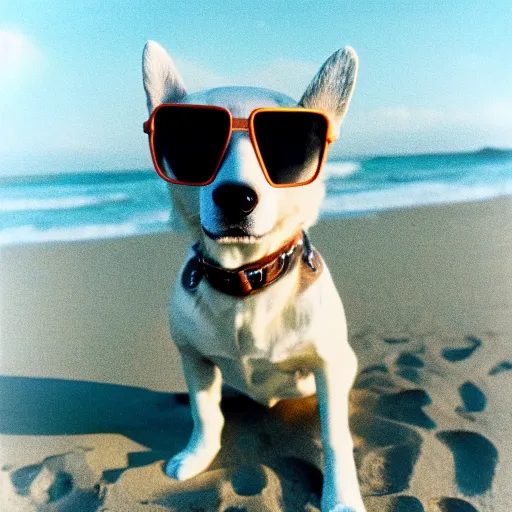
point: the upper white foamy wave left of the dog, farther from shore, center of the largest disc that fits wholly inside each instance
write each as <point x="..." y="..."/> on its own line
<point x="64" y="203"/>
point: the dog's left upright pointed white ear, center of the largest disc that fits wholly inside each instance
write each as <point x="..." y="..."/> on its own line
<point x="162" y="81"/>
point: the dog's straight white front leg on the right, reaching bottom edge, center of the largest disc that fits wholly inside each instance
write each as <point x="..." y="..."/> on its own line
<point x="341" y="486"/>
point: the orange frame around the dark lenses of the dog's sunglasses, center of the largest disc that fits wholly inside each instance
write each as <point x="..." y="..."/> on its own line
<point x="237" y="124"/>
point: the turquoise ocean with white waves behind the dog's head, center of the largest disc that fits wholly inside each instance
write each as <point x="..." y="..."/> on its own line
<point x="96" y="205"/>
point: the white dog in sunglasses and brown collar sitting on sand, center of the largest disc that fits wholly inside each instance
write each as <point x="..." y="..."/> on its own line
<point x="269" y="339"/>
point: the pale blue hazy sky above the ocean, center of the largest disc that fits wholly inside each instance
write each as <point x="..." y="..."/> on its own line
<point x="434" y="76"/>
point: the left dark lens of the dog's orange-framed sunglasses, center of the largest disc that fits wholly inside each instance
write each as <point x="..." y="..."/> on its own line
<point x="189" y="142"/>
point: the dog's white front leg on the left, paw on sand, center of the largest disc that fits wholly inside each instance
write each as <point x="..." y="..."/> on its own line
<point x="204" y="383"/>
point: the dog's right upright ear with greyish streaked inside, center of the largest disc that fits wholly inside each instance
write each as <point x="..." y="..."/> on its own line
<point x="332" y="87"/>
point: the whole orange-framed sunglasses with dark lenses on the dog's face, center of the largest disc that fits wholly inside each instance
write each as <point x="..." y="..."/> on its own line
<point x="189" y="142"/>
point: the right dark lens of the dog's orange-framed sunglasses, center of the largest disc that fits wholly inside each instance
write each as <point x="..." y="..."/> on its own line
<point x="291" y="144"/>
